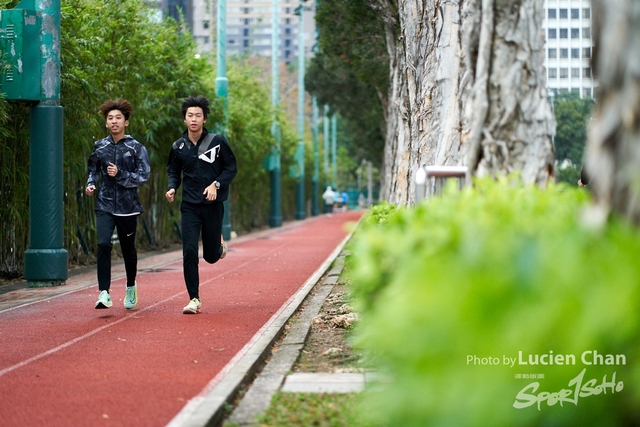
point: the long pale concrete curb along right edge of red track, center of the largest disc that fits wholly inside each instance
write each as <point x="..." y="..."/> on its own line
<point x="208" y="408"/>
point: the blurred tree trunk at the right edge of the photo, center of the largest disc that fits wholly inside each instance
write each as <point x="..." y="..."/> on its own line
<point x="613" y="147"/>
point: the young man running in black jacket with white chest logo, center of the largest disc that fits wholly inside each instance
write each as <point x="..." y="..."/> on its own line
<point x="204" y="162"/>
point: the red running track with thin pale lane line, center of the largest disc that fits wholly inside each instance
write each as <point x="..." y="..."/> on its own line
<point x="63" y="363"/>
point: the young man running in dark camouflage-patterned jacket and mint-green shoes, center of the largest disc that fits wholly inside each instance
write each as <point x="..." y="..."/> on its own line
<point x="121" y="164"/>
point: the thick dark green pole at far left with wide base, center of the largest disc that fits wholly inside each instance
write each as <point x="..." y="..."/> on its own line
<point x="46" y="260"/>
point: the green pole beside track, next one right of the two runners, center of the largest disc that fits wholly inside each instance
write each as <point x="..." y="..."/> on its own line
<point x="275" y="220"/>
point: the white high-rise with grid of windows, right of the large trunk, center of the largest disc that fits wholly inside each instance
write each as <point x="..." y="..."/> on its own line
<point x="567" y="27"/>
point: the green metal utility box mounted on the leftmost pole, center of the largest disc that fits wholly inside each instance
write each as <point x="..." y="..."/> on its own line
<point x="20" y="54"/>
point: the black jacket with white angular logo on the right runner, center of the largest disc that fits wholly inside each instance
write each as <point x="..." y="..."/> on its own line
<point x="199" y="165"/>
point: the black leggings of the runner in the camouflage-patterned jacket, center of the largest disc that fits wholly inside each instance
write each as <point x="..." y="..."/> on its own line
<point x="126" y="228"/>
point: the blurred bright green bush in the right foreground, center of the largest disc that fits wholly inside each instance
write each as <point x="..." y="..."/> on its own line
<point x="450" y="288"/>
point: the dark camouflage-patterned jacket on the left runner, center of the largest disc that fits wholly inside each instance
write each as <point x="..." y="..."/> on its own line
<point x="119" y="195"/>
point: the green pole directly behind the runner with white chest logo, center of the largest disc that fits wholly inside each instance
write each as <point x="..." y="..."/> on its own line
<point x="222" y="90"/>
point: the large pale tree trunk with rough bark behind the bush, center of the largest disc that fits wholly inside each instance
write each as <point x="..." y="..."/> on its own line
<point x="468" y="87"/>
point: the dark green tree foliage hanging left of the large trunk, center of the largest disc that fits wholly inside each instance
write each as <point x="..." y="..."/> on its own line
<point x="350" y="73"/>
